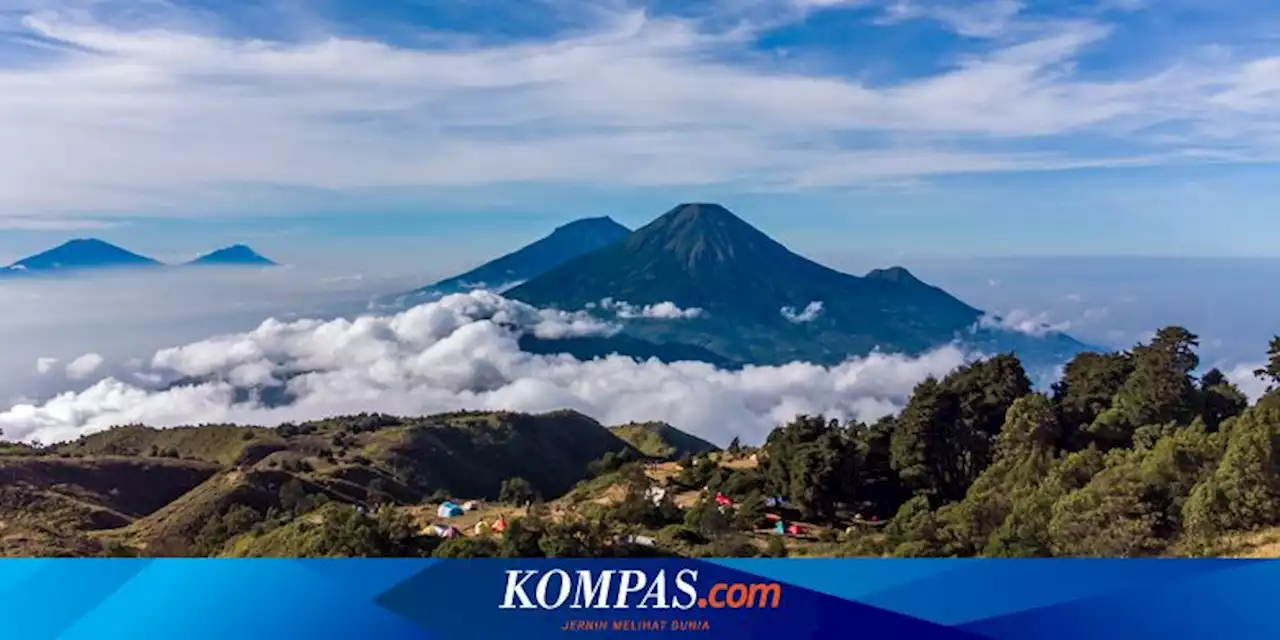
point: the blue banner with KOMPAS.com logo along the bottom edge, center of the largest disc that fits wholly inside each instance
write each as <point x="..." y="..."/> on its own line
<point x="726" y="598"/>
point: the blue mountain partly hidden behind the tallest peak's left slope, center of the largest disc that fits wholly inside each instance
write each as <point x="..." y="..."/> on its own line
<point x="566" y="243"/>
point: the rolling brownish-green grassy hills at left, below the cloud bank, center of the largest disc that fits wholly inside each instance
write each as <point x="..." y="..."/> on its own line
<point x="108" y="487"/>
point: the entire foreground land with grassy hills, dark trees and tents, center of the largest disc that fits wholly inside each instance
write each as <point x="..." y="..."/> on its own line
<point x="1128" y="455"/>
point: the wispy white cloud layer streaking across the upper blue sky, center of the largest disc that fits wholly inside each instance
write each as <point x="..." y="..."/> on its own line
<point x="636" y="100"/>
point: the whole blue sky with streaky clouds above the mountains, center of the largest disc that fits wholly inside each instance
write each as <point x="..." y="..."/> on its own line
<point x="405" y="134"/>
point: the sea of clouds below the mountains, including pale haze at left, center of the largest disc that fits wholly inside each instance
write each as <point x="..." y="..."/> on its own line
<point x="181" y="349"/>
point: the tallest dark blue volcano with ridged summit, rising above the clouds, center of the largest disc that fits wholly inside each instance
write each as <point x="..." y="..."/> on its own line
<point x="764" y="303"/>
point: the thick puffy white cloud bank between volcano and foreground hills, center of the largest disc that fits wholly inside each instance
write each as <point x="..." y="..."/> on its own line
<point x="461" y="353"/>
